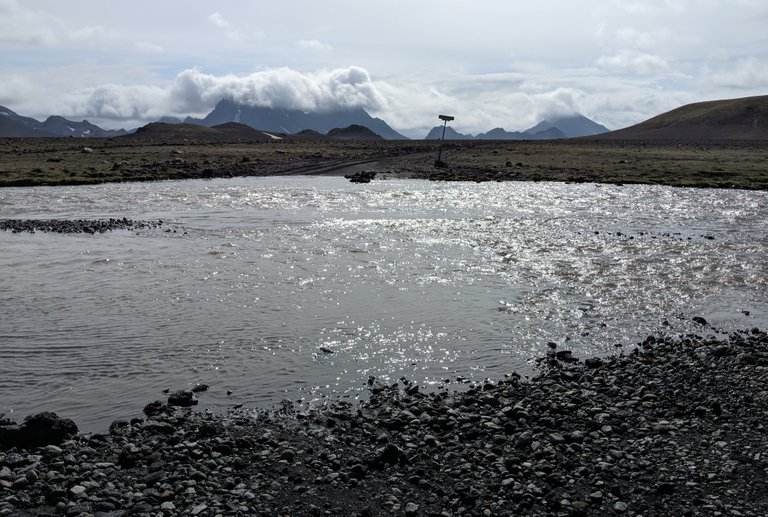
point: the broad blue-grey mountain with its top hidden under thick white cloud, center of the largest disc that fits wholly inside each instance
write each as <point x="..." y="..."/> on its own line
<point x="294" y="121"/>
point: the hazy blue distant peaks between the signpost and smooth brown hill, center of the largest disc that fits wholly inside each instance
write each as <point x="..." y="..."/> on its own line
<point x="562" y="127"/>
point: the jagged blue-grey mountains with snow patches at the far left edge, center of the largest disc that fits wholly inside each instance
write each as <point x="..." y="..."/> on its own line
<point x="14" y="125"/>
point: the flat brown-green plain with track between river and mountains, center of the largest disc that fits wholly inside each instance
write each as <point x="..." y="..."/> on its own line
<point x="67" y="161"/>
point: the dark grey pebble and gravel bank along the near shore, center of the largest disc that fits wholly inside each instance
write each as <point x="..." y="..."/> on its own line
<point x="675" y="427"/>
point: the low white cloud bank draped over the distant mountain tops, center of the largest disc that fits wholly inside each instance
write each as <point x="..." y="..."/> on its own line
<point x="194" y="92"/>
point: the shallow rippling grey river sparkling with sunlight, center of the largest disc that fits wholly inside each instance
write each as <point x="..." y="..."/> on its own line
<point x="302" y="287"/>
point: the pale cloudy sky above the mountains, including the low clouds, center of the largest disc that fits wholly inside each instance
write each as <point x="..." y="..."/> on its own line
<point x="489" y="63"/>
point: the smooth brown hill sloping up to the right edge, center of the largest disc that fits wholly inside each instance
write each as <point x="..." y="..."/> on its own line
<point x="734" y="119"/>
